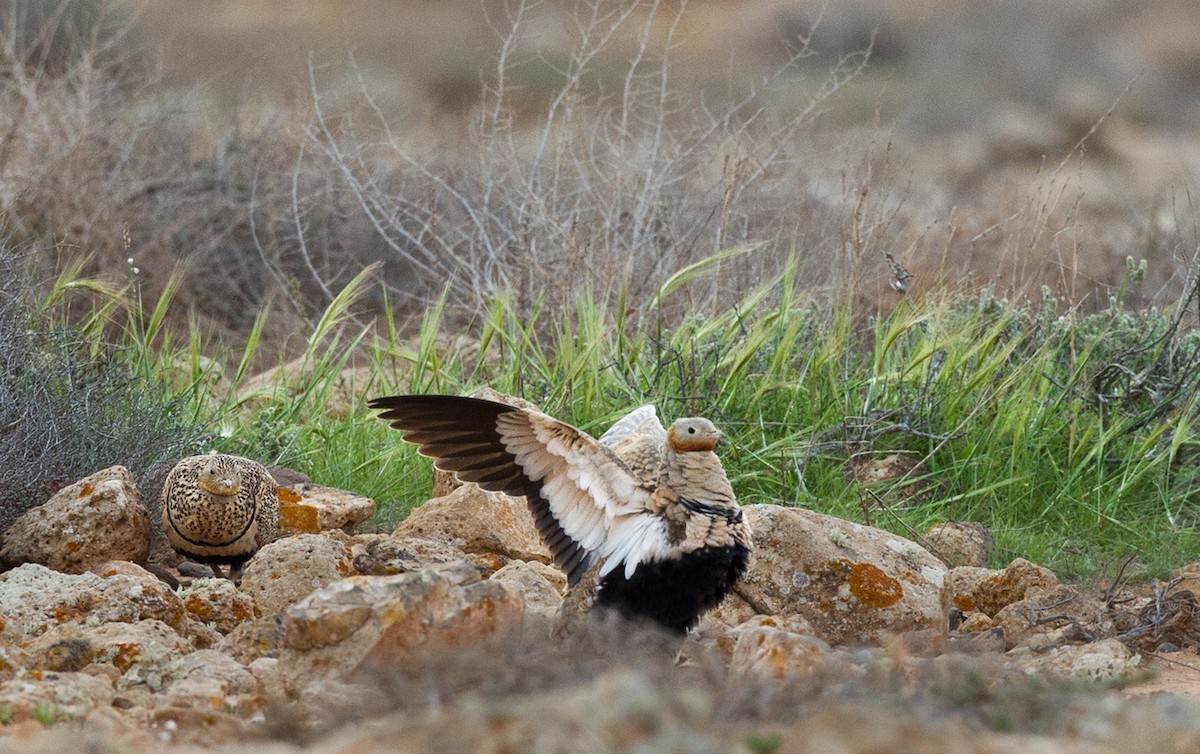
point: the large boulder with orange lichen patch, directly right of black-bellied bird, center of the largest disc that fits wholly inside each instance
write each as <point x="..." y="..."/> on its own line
<point x="853" y="583"/>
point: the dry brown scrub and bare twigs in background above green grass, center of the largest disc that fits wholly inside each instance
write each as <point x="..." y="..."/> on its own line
<point x="542" y="149"/>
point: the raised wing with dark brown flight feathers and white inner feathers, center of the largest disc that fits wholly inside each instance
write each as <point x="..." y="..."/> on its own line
<point x="585" y="500"/>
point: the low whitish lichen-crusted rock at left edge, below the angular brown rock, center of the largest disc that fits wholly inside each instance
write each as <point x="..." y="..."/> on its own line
<point x="34" y="600"/>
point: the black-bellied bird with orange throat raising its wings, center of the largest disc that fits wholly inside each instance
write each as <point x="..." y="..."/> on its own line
<point x="645" y="519"/>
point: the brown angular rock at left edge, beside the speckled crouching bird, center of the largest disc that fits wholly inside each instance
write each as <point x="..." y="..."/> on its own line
<point x="83" y="525"/>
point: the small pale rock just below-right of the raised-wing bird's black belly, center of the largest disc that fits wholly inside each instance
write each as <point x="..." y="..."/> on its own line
<point x="767" y="648"/>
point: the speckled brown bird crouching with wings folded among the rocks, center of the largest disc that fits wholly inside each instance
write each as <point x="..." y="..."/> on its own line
<point x="220" y="510"/>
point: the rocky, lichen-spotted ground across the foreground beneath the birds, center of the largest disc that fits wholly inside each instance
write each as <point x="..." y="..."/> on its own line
<point x="436" y="638"/>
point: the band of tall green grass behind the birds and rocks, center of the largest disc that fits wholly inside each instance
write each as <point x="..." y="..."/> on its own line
<point x="1070" y="436"/>
